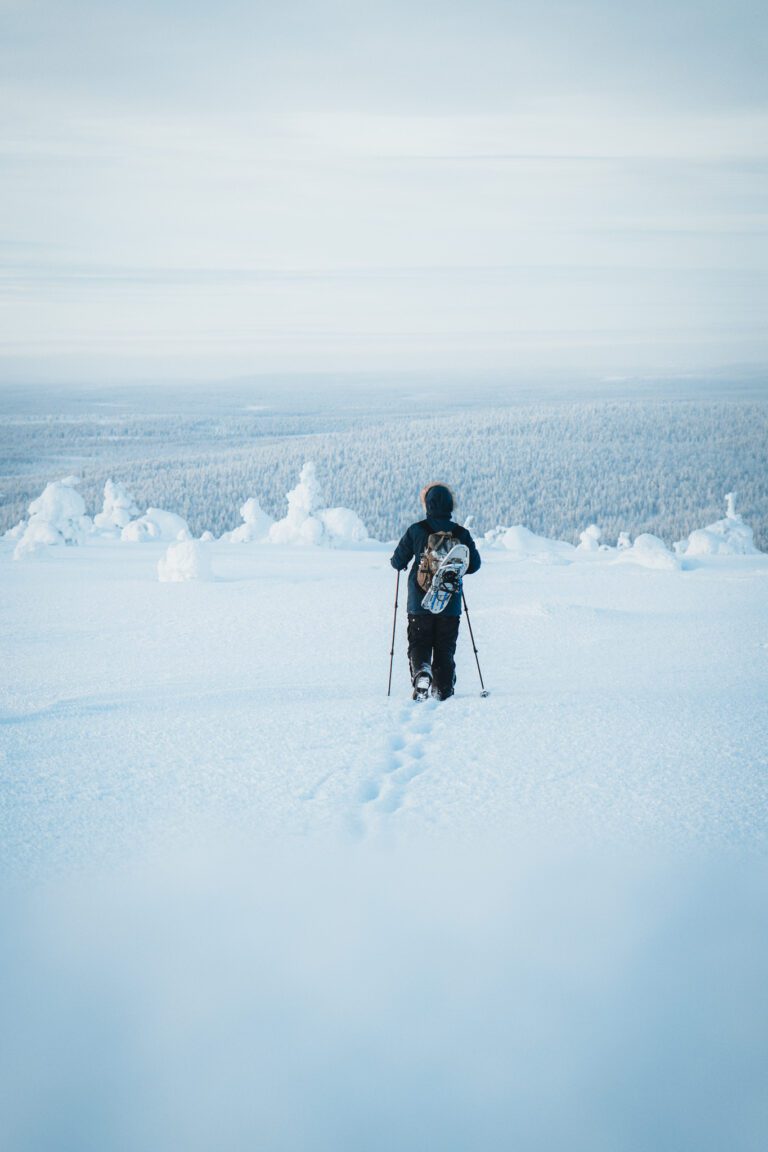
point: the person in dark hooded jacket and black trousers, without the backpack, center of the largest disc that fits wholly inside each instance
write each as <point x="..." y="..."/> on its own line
<point x="432" y="638"/>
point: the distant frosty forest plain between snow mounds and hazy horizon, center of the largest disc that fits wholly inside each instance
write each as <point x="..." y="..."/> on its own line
<point x="649" y="466"/>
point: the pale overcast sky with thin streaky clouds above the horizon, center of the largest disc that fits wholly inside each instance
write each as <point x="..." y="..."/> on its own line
<point x="215" y="190"/>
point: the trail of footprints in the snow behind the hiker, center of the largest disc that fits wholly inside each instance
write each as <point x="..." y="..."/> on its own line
<point x="385" y="791"/>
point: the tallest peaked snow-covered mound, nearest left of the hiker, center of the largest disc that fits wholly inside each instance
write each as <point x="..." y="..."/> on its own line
<point x="309" y="524"/>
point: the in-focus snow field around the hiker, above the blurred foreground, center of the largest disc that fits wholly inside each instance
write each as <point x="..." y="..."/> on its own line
<point x="623" y="700"/>
